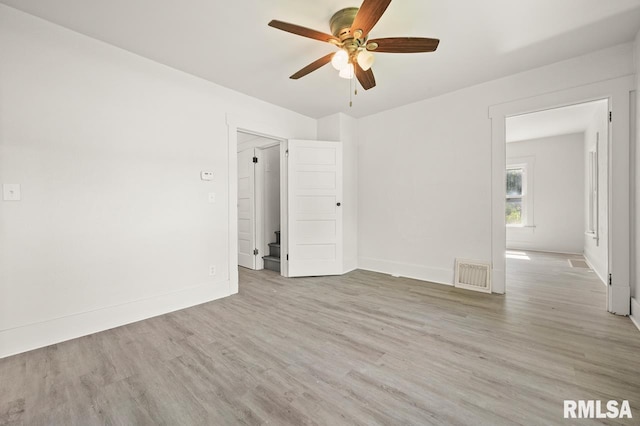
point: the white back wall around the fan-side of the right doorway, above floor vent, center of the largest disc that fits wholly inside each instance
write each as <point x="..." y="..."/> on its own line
<point x="425" y="169"/>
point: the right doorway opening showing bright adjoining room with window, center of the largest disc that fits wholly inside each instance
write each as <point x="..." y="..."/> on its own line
<point x="556" y="200"/>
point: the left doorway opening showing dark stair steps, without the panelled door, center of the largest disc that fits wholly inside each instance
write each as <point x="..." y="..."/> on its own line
<point x="259" y="206"/>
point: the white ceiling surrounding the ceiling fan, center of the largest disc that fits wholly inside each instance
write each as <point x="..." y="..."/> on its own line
<point x="229" y="42"/>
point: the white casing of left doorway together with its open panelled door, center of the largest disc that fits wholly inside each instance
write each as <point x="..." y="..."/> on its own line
<point x="311" y="171"/>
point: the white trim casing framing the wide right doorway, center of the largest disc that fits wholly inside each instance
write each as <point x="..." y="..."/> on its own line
<point x="617" y="91"/>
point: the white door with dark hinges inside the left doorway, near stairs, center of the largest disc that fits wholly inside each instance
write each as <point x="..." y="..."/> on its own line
<point x="246" y="210"/>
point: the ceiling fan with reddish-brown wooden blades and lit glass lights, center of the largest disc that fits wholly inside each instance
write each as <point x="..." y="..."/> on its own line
<point x="350" y="33"/>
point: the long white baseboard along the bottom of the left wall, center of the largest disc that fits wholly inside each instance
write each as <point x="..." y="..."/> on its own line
<point x="33" y="336"/>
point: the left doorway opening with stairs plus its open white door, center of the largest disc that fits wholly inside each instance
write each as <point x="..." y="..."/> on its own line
<point x="289" y="212"/>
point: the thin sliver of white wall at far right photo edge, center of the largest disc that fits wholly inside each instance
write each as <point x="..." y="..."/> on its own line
<point x="635" y="186"/>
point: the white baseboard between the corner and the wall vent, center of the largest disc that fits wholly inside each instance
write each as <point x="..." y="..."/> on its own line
<point x="407" y="270"/>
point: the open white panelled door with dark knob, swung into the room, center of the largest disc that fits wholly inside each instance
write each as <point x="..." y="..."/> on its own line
<point x="315" y="215"/>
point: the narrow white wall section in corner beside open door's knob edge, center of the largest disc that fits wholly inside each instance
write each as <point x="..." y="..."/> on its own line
<point x="341" y="127"/>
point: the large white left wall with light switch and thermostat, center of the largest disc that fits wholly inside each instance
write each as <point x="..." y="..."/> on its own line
<point x="114" y="223"/>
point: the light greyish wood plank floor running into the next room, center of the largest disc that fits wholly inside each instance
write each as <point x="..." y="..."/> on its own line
<point x="360" y="349"/>
